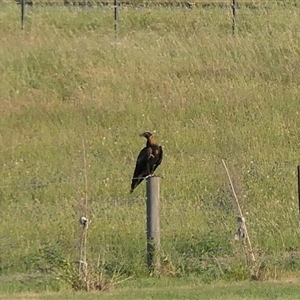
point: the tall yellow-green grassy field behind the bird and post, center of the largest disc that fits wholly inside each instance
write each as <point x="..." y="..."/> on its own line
<point x="208" y="96"/>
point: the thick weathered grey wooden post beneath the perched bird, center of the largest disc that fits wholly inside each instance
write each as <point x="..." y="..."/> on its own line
<point x="153" y="224"/>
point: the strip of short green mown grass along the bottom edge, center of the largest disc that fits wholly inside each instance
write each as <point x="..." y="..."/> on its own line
<point x="179" y="289"/>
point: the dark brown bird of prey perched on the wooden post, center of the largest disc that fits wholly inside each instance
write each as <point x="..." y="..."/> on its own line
<point x="148" y="160"/>
